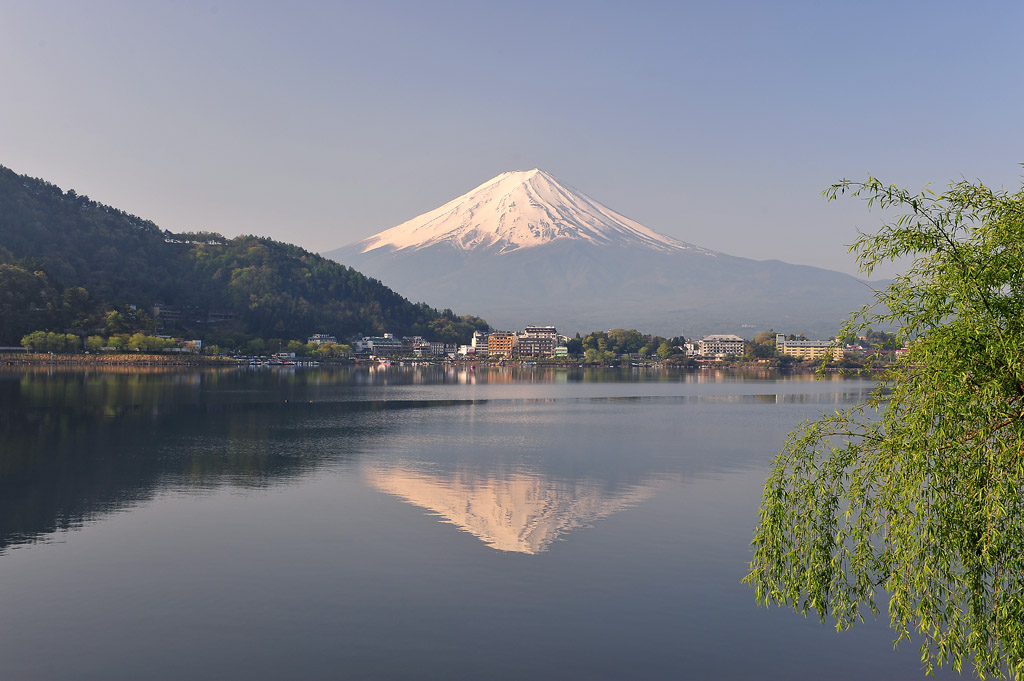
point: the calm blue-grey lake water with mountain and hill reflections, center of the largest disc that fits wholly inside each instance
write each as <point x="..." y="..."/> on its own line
<point x="403" y="524"/>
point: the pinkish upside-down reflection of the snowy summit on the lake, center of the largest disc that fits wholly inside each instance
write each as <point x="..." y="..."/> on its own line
<point x="521" y="513"/>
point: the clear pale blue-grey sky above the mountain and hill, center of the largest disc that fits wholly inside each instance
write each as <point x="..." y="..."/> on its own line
<point x="322" y="123"/>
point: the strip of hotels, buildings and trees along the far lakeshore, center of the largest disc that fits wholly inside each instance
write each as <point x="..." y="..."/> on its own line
<point x="535" y="344"/>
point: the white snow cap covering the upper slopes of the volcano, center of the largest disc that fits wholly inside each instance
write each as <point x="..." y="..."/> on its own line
<point x="517" y="210"/>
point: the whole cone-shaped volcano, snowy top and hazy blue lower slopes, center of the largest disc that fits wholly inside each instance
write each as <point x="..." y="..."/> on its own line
<point x="523" y="248"/>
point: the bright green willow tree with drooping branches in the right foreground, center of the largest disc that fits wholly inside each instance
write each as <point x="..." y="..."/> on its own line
<point x="914" y="501"/>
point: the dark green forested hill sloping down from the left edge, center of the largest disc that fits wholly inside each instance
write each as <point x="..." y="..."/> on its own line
<point x="67" y="263"/>
